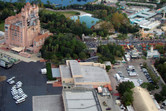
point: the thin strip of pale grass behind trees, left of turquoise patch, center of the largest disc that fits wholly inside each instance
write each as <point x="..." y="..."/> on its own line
<point x="66" y="13"/>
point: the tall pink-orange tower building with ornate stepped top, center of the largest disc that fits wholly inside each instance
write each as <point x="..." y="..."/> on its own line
<point x="22" y="29"/>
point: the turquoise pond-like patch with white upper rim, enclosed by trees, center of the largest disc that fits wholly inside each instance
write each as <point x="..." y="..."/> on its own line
<point x="87" y="18"/>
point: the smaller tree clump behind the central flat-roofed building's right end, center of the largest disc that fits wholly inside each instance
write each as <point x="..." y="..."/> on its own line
<point x="108" y="52"/>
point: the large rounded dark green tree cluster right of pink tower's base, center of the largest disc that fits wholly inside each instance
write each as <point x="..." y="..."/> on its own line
<point x="61" y="47"/>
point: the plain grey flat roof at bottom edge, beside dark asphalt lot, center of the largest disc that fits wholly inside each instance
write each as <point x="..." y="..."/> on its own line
<point x="47" y="103"/>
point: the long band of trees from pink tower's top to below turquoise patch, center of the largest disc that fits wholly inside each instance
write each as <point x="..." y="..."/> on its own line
<point x="58" y="23"/>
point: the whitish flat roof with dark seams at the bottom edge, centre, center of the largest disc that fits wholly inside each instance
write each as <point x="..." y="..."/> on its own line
<point x="81" y="101"/>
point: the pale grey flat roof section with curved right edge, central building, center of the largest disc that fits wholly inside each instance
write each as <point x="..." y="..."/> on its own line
<point x="93" y="74"/>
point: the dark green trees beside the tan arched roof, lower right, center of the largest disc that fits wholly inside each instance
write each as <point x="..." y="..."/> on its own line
<point x="126" y="93"/>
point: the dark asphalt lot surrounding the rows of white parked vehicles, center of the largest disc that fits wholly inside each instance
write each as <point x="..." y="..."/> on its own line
<point x="34" y="84"/>
